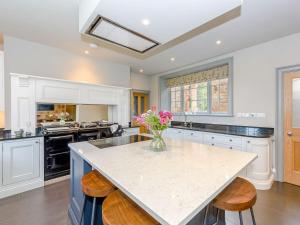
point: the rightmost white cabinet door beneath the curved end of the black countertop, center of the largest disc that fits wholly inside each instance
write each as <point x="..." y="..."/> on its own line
<point x="260" y="168"/>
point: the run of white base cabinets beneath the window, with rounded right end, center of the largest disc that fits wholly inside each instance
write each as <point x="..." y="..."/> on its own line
<point x="258" y="172"/>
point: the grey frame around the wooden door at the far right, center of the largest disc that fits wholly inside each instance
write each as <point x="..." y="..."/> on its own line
<point x="279" y="134"/>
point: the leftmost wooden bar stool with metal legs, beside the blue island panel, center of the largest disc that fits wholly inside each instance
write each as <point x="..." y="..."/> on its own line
<point x="96" y="186"/>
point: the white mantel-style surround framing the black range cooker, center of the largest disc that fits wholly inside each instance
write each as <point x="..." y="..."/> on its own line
<point x="27" y="91"/>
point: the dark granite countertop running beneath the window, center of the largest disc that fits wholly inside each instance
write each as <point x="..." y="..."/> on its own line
<point x="247" y="131"/>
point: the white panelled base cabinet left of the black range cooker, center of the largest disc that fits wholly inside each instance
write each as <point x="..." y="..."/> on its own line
<point x="21" y="165"/>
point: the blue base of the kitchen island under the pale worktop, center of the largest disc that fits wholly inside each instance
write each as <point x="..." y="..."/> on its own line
<point x="79" y="167"/>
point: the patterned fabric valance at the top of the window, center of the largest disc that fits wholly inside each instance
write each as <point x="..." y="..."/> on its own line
<point x="215" y="73"/>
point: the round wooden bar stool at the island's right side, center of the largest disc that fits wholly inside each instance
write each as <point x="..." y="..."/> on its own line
<point x="240" y="195"/>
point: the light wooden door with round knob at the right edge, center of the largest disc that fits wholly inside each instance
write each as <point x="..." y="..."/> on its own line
<point x="292" y="127"/>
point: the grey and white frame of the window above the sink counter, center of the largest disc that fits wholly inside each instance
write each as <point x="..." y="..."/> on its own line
<point x="165" y="96"/>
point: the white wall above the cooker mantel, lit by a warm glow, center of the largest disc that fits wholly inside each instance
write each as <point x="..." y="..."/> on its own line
<point x="35" y="59"/>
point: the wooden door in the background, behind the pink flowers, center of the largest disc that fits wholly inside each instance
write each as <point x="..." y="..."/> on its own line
<point x="139" y="105"/>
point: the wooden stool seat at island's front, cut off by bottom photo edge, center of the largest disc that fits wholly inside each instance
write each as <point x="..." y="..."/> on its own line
<point x="118" y="209"/>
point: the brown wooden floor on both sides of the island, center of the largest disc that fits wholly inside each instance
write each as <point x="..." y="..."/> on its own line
<point x="48" y="206"/>
